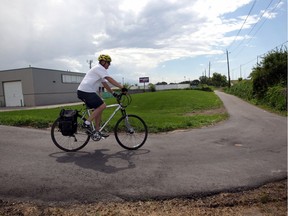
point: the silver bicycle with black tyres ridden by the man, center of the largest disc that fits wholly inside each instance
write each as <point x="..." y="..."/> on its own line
<point x="130" y="130"/>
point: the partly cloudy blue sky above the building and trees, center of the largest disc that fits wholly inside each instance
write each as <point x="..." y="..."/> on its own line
<point x="166" y="40"/>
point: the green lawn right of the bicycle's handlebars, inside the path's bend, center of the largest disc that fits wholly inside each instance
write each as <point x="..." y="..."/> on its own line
<point x="167" y="110"/>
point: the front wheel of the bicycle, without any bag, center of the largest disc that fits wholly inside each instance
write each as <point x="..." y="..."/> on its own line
<point x="131" y="132"/>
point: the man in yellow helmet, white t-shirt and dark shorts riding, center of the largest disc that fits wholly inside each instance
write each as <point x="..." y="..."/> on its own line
<point x="87" y="91"/>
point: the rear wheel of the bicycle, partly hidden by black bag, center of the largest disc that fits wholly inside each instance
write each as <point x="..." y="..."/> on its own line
<point x="69" y="143"/>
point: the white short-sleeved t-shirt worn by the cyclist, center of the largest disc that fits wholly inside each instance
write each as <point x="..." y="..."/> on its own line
<point x="93" y="79"/>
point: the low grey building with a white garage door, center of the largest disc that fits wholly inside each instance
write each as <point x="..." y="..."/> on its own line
<point x="37" y="86"/>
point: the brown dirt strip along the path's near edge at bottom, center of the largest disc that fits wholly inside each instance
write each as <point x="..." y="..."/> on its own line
<point x="270" y="199"/>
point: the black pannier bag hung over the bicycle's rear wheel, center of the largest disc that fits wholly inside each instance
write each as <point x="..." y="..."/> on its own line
<point x="68" y="122"/>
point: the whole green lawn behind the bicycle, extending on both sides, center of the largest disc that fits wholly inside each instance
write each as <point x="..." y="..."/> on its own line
<point x="162" y="111"/>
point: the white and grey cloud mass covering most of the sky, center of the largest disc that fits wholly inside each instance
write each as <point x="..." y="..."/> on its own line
<point x="139" y="35"/>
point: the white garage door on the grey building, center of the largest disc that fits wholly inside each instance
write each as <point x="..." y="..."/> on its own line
<point x="13" y="94"/>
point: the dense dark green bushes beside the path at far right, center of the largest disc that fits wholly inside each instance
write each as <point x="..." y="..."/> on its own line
<point x="268" y="82"/>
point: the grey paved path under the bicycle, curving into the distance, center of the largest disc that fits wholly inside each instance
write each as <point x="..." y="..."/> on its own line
<point x="245" y="151"/>
